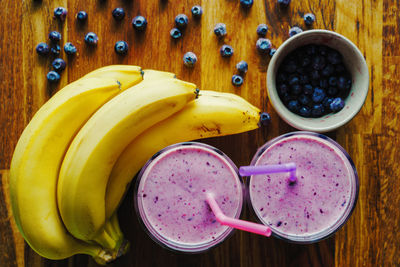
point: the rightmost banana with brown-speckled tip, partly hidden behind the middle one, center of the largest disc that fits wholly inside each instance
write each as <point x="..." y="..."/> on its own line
<point x="212" y="114"/>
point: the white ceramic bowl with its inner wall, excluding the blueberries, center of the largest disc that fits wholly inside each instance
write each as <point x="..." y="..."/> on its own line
<point x="354" y="62"/>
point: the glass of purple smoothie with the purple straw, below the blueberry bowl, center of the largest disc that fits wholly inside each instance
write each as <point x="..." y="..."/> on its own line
<point x="319" y="202"/>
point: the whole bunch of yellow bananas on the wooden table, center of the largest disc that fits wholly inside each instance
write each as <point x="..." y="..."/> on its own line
<point x="76" y="158"/>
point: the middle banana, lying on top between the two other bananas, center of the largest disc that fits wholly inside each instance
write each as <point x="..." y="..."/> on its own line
<point x="88" y="162"/>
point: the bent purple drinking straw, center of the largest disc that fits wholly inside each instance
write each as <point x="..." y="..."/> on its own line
<point x="267" y="169"/>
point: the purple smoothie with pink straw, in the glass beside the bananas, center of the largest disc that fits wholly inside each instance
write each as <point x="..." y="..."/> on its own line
<point x="171" y="196"/>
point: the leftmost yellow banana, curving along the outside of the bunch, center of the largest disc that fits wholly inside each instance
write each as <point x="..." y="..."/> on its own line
<point x="37" y="160"/>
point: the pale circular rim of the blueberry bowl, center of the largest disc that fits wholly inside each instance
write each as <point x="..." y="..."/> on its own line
<point x="295" y="120"/>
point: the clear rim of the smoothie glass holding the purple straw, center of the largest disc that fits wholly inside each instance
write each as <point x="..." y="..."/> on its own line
<point x="326" y="233"/>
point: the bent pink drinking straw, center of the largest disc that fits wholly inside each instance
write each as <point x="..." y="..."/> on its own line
<point x="236" y="223"/>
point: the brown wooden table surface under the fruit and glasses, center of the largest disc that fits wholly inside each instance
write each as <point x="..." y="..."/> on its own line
<point x="370" y="238"/>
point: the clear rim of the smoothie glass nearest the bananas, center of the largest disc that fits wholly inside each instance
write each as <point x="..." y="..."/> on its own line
<point x="176" y="246"/>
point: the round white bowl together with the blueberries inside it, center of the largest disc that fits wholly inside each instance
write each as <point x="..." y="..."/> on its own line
<point x="317" y="80"/>
